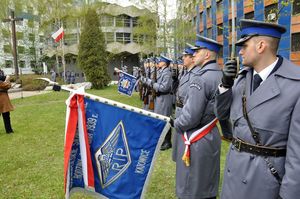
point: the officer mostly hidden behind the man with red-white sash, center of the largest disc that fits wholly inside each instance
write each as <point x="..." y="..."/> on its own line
<point x="187" y="57"/>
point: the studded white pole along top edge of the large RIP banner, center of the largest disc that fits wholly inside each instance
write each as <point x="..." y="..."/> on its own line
<point x="117" y="104"/>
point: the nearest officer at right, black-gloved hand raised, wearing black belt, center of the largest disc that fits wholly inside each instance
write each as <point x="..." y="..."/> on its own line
<point x="264" y="105"/>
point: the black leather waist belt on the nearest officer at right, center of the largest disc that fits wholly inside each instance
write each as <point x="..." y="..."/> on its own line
<point x="257" y="150"/>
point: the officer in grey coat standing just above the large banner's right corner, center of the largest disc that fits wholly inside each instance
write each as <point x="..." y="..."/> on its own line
<point x="163" y="100"/>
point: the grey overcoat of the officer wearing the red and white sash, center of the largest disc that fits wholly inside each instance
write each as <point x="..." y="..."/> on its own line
<point x="201" y="179"/>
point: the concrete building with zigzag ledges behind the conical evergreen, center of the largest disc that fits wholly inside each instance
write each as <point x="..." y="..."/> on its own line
<point x="118" y="26"/>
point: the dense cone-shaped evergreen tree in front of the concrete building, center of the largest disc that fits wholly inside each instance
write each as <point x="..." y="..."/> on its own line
<point x="92" y="56"/>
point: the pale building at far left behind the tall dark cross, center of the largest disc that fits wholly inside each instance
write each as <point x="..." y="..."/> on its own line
<point x="30" y="42"/>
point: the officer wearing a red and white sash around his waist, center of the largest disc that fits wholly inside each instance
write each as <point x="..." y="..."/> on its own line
<point x="197" y="176"/>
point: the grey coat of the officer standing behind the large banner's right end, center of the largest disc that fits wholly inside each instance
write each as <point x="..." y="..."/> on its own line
<point x="163" y="100"/>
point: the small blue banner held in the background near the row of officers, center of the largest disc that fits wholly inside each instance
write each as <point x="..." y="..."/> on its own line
<point x="127" y="83"/>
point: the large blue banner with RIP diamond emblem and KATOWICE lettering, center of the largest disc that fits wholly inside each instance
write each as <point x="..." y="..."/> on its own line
<point x="122" y="151"/>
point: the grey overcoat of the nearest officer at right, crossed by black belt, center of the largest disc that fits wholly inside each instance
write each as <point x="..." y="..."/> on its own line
<point x="274" y="111"/>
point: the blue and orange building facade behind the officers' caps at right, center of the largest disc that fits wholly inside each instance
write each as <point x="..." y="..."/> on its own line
<point x="214" y="19"/>
